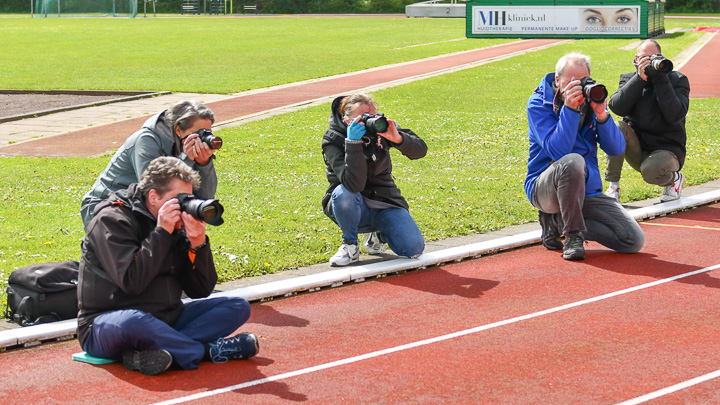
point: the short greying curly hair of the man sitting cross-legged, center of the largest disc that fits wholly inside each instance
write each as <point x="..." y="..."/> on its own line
<point x="162" y="171"/>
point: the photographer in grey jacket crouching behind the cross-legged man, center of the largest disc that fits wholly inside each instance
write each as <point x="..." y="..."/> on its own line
<point x="183" y="131"/>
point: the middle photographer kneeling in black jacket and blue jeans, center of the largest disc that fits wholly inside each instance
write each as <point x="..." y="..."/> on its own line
<point x="362" y="196"/>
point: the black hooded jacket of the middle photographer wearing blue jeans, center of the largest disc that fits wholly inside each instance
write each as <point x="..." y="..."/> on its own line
<point x="364" y="168"/>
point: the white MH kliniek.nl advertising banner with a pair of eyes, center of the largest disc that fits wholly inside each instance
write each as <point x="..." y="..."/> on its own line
<point x="587" y="20"/>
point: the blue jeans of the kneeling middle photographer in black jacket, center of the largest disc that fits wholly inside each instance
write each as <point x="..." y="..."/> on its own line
<point x="395" y="225"/>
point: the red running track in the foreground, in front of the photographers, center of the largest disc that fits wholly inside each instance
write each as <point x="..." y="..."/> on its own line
<point x="590" y="348"/>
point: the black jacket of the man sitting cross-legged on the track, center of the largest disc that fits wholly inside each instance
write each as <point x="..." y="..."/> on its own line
<point x="130" y="263"/>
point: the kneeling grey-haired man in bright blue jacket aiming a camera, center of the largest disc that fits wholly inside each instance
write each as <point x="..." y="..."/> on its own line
<point x="567" y="119"/>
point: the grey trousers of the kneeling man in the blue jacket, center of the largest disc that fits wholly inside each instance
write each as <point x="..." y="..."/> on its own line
<point x="560" y="190"/>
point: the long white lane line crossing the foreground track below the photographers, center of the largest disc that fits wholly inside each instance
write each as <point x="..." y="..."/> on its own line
<point x="390" y="350"/>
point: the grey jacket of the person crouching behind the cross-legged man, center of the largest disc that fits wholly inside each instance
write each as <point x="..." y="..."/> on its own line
<point x="153" y="140"/>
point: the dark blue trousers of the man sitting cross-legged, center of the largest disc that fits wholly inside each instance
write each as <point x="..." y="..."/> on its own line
<point x="201" y="322"/>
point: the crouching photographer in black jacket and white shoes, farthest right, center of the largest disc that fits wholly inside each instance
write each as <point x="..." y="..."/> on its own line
<point x="653" y="102"/>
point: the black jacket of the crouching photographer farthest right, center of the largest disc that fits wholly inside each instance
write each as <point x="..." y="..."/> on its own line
<point x="655" y="109"/>
